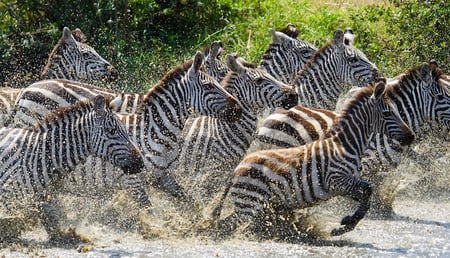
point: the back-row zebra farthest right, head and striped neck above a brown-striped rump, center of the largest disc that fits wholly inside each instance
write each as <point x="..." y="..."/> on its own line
<point x="320" y="81"/>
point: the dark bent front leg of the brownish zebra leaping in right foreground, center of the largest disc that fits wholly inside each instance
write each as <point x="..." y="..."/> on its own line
<point x="360" y="192"/>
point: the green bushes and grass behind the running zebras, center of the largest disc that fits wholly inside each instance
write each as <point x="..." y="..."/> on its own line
<point x="146" y="38"/>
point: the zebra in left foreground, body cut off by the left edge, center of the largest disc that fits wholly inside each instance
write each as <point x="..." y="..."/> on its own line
<point x="34" y="161"/>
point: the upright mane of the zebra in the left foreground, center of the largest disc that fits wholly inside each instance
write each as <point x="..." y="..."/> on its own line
<point x="59" y="112"/>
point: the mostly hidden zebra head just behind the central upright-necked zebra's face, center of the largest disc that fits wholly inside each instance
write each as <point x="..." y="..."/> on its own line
<point x="215" y="67"/>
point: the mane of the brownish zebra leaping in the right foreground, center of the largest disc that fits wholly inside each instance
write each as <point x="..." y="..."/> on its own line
<point x="361" y="95"/>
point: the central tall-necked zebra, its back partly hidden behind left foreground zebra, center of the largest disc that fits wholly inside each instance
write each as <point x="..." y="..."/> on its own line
<point x="159" y="120"/>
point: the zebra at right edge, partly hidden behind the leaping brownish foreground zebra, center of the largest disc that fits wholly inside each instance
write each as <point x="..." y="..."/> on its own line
<point x="421" y="98"/>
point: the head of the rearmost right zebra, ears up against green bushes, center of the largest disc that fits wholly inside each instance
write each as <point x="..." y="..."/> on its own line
<point x="355" y="67"/>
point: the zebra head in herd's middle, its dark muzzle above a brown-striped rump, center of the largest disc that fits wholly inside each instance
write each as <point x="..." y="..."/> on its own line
<point x="256" y="88"/>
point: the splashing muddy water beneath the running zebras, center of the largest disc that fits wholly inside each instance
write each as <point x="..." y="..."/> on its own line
<point x="109" y="227"/>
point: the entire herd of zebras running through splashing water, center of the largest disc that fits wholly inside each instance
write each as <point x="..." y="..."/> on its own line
<point x="200" y="132"/>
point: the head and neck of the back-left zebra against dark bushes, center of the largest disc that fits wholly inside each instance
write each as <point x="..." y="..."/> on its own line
<point x="73" y="59"/>
